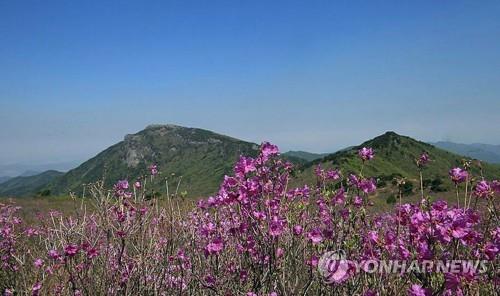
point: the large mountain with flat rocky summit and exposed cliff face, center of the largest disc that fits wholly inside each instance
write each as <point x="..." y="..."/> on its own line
<point x="201" y="157"/>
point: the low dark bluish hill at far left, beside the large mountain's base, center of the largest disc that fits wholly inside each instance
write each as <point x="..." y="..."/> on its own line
<point x="27" y="185"/>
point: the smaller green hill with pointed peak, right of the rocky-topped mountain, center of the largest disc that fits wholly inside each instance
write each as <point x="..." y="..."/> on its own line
<point x="396" y="154"/>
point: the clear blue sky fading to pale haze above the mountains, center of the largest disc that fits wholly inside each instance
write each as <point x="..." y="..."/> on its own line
<point x="76" y="76"/>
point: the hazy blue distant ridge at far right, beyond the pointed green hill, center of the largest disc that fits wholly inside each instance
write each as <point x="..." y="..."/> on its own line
<point x="484" y="152"/>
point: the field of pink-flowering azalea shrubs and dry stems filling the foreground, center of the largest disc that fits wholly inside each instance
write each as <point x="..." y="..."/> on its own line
<point x="257" y="236"/>
